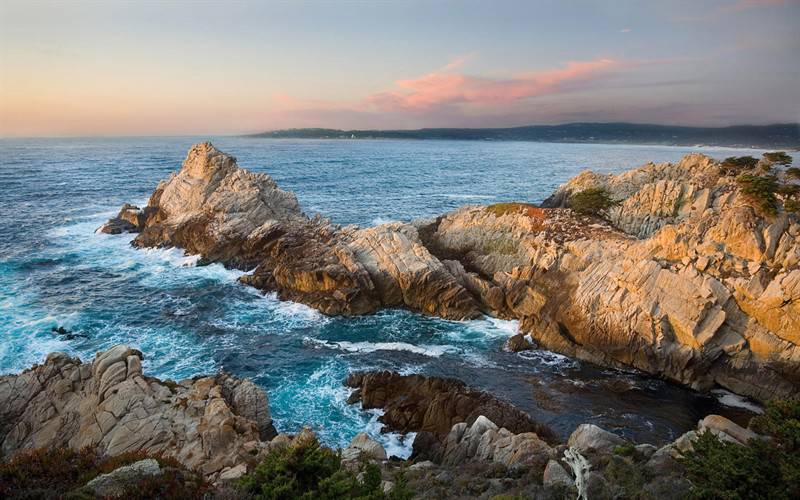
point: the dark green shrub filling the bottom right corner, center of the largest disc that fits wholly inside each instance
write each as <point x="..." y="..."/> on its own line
<point x="763" y="468"/>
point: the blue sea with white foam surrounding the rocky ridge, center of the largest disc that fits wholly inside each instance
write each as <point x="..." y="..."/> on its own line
<point x="188" y="320"/>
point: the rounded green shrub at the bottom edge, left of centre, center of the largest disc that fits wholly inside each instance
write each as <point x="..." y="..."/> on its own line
<point x="307" y="470"/>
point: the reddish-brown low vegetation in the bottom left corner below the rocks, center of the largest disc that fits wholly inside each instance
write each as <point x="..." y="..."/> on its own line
<point x="63" y="472"/>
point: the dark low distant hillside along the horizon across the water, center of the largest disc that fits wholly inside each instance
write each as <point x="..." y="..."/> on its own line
<point x="785" y="136"/>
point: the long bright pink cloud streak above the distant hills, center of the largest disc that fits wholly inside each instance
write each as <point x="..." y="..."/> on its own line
<point x="445" y="88"/>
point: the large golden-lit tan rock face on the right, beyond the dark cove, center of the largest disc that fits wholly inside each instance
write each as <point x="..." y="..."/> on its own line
<point x="704" y="293"/>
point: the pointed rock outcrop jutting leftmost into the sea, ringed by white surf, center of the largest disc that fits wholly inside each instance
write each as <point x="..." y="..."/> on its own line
<point x="226" y="214"/>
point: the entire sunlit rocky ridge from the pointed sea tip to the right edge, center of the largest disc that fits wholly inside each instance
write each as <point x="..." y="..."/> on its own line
<point x="685" y="279"/>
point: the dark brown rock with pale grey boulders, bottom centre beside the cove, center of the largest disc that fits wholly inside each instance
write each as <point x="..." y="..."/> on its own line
<point x="454" y="424"/>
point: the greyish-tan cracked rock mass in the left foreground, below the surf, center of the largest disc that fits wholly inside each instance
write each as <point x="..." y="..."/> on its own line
<point x="208" y="424"/>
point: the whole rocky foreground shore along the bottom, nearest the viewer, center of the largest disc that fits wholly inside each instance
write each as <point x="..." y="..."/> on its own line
<point x="219" y="428"/>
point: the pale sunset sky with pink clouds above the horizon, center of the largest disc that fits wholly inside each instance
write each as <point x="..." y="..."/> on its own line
<point x="80" y="68"/>
